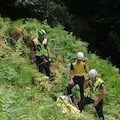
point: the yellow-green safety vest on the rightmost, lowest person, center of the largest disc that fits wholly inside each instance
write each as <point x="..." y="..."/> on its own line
<point x="94" y="89"/>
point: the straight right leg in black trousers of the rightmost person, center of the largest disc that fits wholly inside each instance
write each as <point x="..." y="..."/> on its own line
<point x="99" y="109"/>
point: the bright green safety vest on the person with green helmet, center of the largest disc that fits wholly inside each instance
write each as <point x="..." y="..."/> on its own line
<point x="40" y="49"/>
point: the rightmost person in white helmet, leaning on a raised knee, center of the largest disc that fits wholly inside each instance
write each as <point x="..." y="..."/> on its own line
<point x="96" y="93"/>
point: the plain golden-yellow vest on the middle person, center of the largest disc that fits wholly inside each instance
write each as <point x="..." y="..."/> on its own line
<point x="78" y="68"/>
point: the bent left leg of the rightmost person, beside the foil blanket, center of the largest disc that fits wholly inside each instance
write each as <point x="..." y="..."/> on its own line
<point x="84" y="102"/>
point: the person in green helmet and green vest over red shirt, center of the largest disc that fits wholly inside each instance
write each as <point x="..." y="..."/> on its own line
<point x="40" y="49"/>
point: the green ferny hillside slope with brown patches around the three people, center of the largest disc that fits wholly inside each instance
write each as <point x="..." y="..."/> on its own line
<point x="26" y="94"/>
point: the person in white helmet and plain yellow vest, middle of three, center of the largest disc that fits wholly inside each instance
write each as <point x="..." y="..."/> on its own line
<point x="77" y="69"/>
